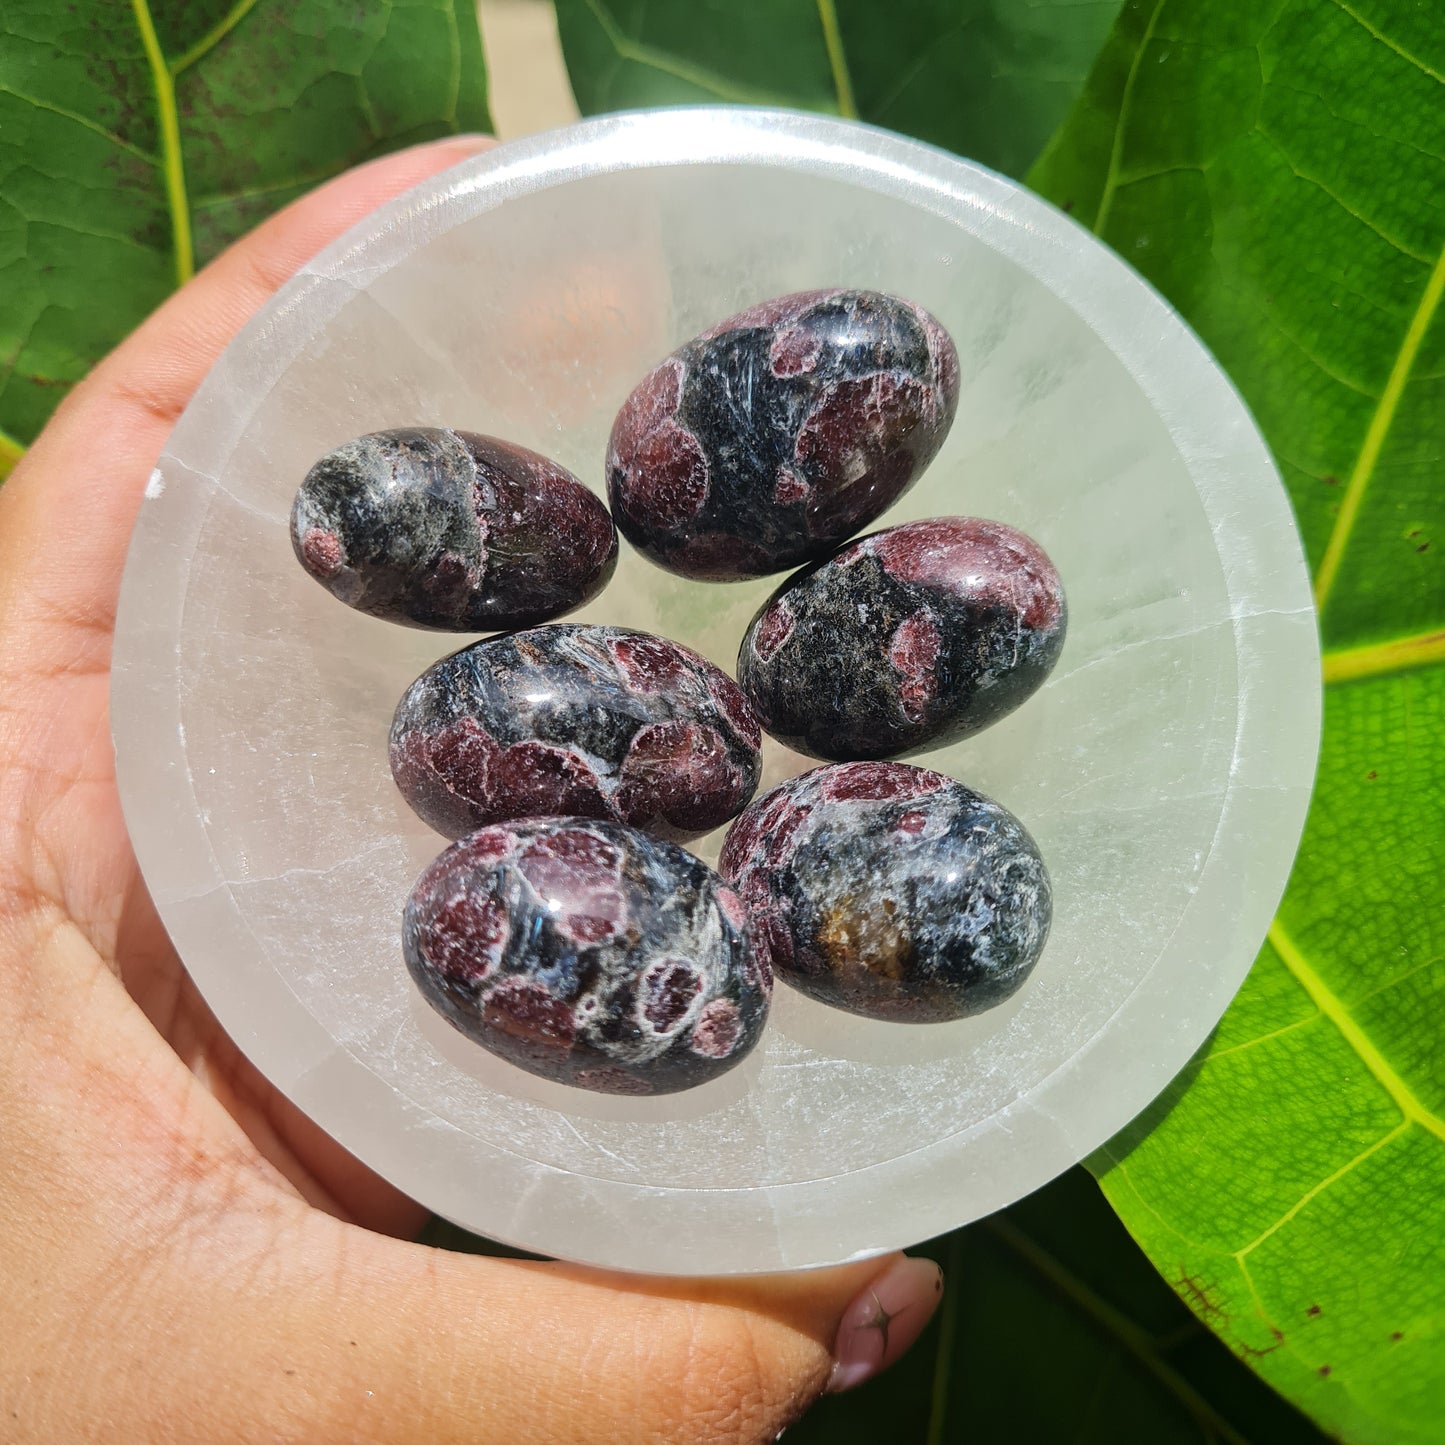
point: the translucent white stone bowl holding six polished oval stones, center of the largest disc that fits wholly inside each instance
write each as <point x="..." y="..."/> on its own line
<point x="1165" y="769"/>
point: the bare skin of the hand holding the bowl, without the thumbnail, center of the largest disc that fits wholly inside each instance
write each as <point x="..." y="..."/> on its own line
<point x="184" y="1256"/>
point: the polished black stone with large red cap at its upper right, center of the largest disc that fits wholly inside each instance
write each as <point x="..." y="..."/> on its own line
<point x="905" y="641"/>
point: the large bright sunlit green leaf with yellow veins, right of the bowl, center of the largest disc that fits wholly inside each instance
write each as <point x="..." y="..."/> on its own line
<point x="1278" y="173"/>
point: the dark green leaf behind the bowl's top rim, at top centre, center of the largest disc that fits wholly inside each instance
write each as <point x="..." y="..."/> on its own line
<point x="988" y="79"/>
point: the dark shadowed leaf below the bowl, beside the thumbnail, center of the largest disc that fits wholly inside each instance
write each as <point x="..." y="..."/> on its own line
<point x="1056" y="1329"/>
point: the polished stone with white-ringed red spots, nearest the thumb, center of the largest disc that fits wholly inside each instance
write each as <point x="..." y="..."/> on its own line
<point x="590" y="954"/>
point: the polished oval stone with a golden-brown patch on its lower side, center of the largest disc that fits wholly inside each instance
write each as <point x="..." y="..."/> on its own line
<point x="891" y="891"/>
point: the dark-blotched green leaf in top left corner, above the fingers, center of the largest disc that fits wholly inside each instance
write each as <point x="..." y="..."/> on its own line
<point x="137" y="141"/>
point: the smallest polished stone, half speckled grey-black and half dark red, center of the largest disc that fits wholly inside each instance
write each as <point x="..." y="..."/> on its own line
<point x="452" y="531"/>
